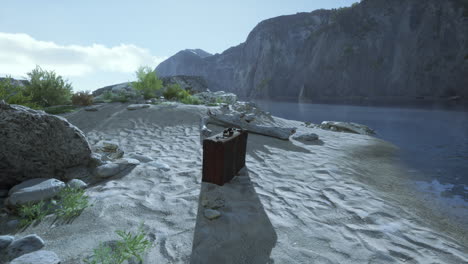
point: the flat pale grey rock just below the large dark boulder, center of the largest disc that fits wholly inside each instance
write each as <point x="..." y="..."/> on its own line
<point x="34" y="190"/>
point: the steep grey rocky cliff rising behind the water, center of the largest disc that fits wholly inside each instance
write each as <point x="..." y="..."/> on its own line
<point x="378" y="48"/>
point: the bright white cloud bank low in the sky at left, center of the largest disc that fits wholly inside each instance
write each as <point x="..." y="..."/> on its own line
<point x="20" y="53"/>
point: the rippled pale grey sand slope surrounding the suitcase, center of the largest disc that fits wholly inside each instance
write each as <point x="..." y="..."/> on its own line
<point x="339" y="200"/>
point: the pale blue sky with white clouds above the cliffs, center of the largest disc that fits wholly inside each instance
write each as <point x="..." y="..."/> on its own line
<point x="97" y="43"/>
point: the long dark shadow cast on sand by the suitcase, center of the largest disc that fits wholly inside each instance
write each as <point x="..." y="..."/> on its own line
<point x="242" y="234"/>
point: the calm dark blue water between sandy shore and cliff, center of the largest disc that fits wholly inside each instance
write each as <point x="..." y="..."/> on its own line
<point x="433" y="142"/>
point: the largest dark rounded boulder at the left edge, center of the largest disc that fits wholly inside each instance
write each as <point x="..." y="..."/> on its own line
<point x="34" y="144"/>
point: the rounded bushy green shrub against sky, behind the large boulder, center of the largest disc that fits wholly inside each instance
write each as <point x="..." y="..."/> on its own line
<point x="46" y="88"/>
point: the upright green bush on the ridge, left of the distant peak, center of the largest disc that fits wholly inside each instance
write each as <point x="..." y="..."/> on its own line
<point x="147" y="82"/>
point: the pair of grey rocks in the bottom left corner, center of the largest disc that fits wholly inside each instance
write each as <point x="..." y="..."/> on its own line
<point x="25" y="250"/>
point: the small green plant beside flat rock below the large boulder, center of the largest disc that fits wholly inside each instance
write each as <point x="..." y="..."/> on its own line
<point x="72" y="201"/>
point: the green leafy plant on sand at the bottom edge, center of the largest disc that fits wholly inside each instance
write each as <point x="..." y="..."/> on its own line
<point x="131" y="245"/>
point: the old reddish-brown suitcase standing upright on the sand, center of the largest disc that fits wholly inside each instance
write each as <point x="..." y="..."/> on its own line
<point x="224" y="155"/>
